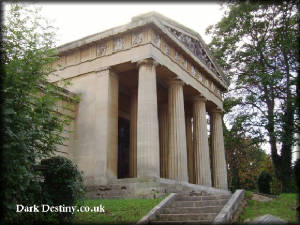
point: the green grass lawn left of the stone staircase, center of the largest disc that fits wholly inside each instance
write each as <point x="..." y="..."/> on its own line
<point x="116" y="210"/>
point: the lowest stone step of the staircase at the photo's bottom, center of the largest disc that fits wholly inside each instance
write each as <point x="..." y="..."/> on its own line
<point x="186" y="217"/>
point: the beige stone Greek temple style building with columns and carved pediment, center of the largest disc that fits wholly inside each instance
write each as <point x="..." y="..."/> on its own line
<point x="146" y="89"/>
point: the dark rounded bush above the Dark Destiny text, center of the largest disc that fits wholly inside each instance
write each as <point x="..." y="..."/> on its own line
<point x="62" y="184"/>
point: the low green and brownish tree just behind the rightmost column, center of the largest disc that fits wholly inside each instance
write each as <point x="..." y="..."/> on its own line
<point x="244" y="156"/>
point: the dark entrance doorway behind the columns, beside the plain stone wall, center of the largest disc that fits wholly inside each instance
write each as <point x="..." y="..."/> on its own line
<point x="123" y="148"/>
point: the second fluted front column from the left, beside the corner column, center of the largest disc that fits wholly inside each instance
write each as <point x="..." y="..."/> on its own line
<point x="177" y="164"/>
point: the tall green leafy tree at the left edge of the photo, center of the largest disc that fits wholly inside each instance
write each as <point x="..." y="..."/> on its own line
<point x="31" y="130"/>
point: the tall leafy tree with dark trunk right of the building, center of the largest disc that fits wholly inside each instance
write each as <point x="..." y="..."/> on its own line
<point x="258" y="46"/>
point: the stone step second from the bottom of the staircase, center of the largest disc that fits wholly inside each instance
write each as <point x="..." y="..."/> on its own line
<point x="181" y="210"/>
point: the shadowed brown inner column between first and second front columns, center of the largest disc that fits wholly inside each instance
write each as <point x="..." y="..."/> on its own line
<point x="163" y="140"/>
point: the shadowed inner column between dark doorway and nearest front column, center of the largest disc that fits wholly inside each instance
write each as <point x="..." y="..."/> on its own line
<point x="133" y="134"/>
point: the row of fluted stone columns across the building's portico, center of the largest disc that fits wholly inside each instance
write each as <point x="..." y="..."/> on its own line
<point x="172" y="143"/>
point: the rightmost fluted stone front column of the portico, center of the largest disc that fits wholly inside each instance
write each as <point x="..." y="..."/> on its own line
<point x="219" y="166"/>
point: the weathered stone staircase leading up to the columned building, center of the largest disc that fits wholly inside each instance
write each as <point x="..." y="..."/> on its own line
<point x="192" y="208"/>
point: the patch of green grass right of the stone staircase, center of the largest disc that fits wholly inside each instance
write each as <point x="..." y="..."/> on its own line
<point x="284" y="206"/>
